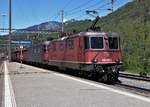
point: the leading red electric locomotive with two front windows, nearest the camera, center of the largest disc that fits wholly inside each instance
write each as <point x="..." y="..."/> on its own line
<point x="92" y="53"/>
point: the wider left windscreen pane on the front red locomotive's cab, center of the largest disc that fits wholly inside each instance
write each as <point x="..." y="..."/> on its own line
<point x="97" y="42"/>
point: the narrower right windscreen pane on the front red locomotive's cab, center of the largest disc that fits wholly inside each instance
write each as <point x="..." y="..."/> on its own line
<point x="113" y="43"/>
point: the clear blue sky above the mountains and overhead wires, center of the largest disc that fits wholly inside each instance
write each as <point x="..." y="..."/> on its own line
<point x="30" y="12"/>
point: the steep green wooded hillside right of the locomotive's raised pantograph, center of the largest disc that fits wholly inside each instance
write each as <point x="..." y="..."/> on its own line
<point x="132" y="22"/>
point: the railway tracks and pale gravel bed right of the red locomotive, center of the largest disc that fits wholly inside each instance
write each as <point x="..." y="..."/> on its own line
<point x="134" y="83"/>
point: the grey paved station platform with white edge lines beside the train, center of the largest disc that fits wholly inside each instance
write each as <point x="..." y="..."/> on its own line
<point x="35" y="87"/>
